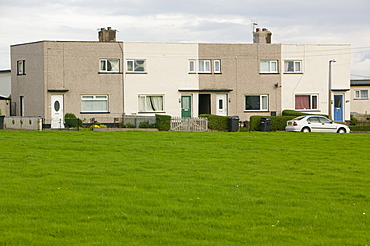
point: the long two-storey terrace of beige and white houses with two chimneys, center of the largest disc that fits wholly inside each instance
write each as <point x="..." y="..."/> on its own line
<point x="108" y="79"/>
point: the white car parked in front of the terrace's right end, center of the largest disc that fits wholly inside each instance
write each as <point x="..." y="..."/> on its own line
<point x="315" y="123"/>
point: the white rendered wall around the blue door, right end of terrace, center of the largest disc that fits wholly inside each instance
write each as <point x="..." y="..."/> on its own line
<point x="314" y="78"/>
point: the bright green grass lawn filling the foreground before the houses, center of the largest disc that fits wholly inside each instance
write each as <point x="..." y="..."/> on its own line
<point x="173" y="188"/>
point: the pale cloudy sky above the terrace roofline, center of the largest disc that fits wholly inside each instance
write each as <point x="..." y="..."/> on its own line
<point x="206" y="21"/>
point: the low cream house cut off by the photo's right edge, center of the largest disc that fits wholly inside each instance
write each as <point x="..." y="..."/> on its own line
<point x="360" y="102"/>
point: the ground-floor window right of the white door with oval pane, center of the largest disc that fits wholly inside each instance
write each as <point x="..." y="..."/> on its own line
<point x="94" y="103"/>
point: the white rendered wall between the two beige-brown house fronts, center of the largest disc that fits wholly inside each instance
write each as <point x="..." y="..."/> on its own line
<point x="167" y="71"/>
